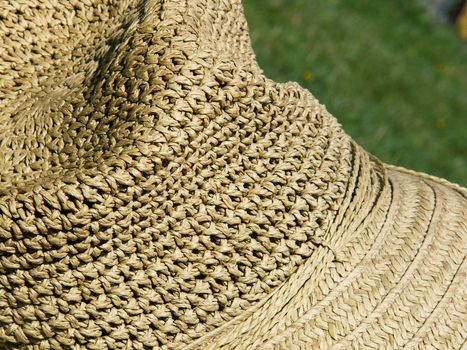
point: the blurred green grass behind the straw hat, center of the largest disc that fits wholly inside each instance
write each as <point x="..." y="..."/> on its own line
<point x="394" y="78"/>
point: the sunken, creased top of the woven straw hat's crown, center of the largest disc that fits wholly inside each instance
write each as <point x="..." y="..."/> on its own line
<point x="71" y="45"/>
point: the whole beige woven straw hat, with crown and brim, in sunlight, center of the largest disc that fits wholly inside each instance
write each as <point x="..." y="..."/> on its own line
<point x="157" y="191"/>
